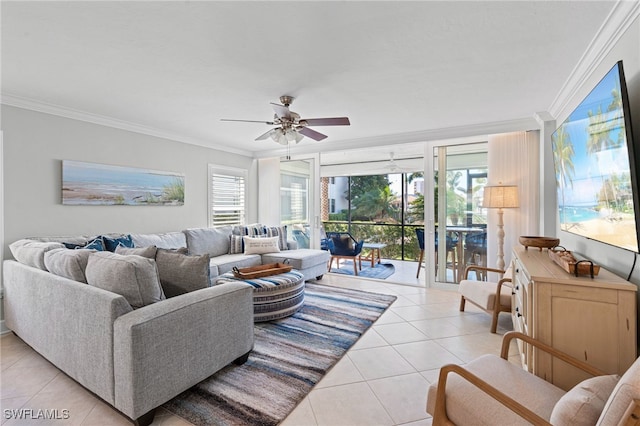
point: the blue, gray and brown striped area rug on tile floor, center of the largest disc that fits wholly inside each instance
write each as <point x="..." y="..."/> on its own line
<point x="289" y="357"/>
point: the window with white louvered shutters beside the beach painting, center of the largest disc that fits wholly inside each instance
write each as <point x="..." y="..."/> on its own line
<point x="227" y="191"/>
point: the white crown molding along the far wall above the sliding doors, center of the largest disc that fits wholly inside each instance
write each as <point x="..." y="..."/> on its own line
<point x="473" y="130"/>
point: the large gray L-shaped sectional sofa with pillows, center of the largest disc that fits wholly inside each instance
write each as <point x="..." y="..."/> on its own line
<point x="138" y="349"/>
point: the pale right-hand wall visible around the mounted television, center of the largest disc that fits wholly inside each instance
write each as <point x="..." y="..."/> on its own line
<point x="627" y="49"/>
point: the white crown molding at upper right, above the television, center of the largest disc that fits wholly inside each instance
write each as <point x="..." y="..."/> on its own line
<point x="623" y="14"/>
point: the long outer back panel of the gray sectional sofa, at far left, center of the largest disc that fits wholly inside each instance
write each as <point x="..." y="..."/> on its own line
<point x="67" y="322"/>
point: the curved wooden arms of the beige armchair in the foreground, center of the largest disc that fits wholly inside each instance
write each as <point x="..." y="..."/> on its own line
<point x="440" y="412"/>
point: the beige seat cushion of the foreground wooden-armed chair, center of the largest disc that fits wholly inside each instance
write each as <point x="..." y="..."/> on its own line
<point x="474" y="407"/>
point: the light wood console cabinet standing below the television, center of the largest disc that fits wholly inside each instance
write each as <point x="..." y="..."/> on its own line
<point x="591" y="319"/>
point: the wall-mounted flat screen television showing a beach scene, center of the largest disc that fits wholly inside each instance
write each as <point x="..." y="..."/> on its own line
<point x="595" y="166"/>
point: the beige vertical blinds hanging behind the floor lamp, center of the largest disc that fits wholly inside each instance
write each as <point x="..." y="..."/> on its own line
<point x="513" y="159"/>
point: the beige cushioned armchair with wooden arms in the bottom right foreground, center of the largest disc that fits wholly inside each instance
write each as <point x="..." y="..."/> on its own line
<point x="491" y="390"/>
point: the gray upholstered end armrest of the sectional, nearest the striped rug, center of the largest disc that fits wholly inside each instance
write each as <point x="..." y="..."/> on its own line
<point x="165" y="348"/>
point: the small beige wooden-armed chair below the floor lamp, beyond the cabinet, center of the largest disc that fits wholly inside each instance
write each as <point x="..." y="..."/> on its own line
<point x="491" y="297"/>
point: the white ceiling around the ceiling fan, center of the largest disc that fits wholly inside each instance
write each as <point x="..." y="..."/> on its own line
<point x="176" y="68"/>
